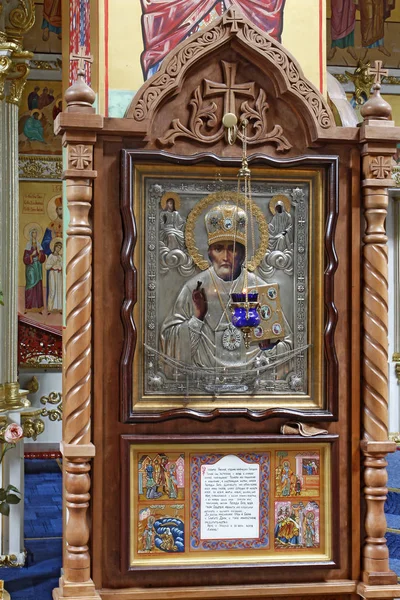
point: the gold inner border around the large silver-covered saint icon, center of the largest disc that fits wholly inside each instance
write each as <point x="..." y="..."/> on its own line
<point x="315" y="398"/>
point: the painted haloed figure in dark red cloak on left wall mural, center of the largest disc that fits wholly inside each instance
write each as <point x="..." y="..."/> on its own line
<point x="34" y="258"/>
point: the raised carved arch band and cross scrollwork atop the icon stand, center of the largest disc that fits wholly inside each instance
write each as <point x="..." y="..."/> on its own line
<point x="233" y="26"/>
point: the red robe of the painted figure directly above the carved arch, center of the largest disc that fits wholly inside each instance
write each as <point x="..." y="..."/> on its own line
<point x="165" y="24"/>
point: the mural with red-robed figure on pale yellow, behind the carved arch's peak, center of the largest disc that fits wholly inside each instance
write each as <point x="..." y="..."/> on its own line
<point x="281" y="18"/>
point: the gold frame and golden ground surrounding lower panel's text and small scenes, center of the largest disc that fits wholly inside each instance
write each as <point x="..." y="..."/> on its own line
<point x="267" y="553"/>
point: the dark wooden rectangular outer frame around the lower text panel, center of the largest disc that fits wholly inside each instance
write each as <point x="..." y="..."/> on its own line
<point x="127" y="440"/>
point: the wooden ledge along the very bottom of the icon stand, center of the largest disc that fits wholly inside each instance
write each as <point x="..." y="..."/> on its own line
<point x="239" y="592"/>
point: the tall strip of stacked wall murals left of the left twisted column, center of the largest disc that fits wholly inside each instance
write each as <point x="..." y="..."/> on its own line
<point x="40" y="278"/>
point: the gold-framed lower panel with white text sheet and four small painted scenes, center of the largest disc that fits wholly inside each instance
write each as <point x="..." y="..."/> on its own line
<point x="262" y="503"/>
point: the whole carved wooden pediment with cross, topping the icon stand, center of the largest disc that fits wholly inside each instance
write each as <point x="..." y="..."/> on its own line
<point x="232" y="66"/>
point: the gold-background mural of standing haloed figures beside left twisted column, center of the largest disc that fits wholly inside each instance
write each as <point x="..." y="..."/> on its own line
<point x="40" y="285"/>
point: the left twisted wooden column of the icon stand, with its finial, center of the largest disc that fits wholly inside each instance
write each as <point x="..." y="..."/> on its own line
<point x="78" y="125"/>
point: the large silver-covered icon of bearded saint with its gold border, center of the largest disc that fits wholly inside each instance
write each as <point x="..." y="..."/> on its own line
<point x="191" y="259"/>
